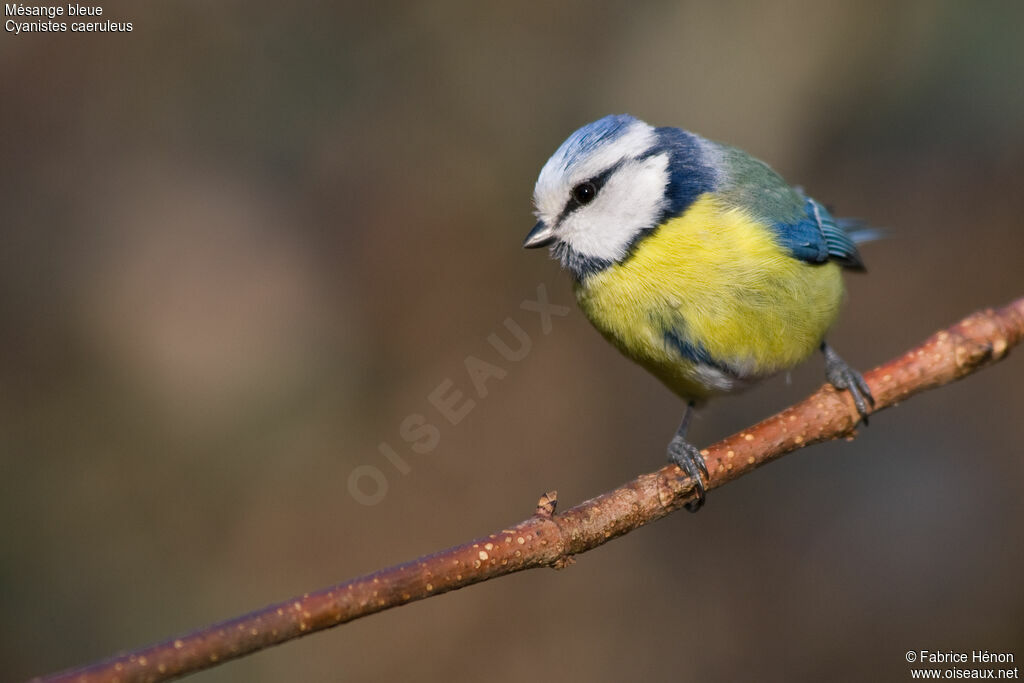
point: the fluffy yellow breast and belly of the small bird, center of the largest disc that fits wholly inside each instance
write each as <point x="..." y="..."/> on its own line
<point x="716" y="278"/>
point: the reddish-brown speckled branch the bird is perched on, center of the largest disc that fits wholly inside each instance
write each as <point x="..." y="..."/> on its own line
<point x="550" y="540"/>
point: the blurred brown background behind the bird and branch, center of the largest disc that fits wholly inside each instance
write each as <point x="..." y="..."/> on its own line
<point x="241" y="244"/>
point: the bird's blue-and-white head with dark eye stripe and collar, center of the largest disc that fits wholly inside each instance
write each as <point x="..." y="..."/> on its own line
<point x="612" y="183"/>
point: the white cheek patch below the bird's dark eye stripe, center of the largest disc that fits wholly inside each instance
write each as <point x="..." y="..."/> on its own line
<point x="632" y="200"/>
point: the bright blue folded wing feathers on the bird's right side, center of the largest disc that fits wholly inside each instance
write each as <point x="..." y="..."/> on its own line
<point x="818" y="238"/>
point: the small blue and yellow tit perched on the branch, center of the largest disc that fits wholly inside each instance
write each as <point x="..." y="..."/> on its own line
<point x="698" y="262"/>
